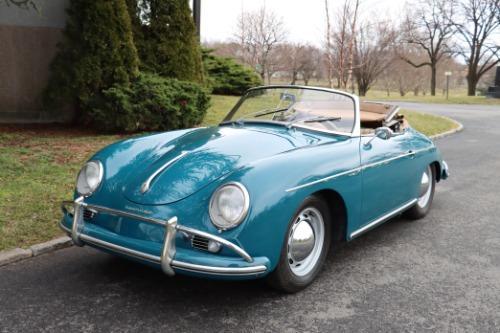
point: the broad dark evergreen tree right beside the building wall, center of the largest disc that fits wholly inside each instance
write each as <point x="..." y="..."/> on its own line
<point x="96" y="53"/>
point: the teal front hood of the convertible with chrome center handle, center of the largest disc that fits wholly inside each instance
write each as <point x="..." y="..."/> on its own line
<point x="185" y="165"/>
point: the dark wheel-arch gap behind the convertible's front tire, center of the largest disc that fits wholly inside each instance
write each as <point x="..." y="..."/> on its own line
<point x="338" y="211"/>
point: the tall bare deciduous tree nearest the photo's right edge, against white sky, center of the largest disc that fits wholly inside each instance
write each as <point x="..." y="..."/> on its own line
<point x="476" y="24"/>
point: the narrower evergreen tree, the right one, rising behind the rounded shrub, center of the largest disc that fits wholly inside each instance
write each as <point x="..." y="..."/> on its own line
<point x="169" y="46"/>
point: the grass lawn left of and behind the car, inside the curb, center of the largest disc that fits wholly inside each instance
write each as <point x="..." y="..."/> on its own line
<point x="39" y="167"/>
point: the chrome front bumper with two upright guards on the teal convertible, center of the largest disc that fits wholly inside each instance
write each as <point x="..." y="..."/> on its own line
<point x="167" y="259"/>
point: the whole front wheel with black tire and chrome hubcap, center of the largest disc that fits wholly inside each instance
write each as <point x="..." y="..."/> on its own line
<point x="305" y="248"/>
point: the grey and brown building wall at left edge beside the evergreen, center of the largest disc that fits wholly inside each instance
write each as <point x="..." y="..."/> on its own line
<point x="28" y="40"/>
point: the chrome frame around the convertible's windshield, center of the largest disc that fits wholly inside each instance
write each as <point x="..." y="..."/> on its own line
<point x="356" y="129"/>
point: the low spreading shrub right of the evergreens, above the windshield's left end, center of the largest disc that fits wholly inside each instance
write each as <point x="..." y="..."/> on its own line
<point x="227" y="77"/>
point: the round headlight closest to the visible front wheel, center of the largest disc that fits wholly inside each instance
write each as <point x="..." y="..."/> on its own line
<point x="229" y="205"/>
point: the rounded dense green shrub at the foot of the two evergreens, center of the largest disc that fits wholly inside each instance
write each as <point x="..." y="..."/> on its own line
<point x="150" y="103"/>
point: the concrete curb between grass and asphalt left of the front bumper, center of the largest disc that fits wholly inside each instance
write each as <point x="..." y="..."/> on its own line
<point x="11" y="256"/>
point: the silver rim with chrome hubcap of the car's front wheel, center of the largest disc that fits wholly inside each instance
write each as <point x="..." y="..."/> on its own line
<point x="305" y="241"/>
